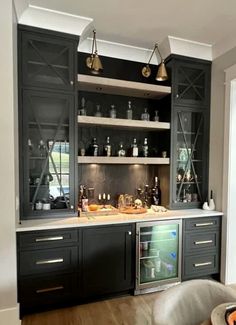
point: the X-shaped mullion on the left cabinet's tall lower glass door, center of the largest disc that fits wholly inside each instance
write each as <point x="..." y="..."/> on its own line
<point x="49" y="154"/>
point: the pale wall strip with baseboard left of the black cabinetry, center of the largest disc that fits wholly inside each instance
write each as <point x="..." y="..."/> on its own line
<point x="8" y="175"/>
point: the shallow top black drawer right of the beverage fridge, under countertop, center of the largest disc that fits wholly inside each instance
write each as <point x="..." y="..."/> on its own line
<point x="199" y="224"/>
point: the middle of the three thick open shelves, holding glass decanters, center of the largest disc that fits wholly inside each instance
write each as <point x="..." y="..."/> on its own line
<point x="123" y="123"/>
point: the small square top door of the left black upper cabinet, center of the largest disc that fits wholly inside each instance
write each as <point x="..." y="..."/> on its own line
<point x="48" y="61"/>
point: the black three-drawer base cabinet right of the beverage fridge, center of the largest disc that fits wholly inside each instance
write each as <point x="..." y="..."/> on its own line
<point x="201" y="247"/>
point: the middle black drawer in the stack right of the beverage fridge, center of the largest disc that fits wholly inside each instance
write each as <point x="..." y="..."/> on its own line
<point x="195" y="242"/>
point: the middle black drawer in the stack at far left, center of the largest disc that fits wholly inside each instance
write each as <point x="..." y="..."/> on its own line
<point x="50" y="260"/>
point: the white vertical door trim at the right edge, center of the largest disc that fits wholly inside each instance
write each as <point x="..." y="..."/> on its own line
<point x="228" y="258"/>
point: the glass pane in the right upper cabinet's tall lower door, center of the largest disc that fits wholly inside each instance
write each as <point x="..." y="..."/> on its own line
<point x="189" y="162"/>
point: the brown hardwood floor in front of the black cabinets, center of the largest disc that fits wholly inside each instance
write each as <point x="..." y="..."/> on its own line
<point x="130" y="310"/>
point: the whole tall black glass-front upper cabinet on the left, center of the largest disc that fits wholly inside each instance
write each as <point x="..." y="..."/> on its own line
<point x="47" y="122"/>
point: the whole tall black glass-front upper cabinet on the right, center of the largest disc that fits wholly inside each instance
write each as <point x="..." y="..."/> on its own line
<point x="190" y="123"/>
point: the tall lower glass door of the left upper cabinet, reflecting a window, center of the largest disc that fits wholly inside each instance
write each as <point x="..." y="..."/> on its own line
<point x="48" y="154"/>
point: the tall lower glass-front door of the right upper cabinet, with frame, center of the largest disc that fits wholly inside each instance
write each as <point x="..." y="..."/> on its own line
<point x="190" y="172"/>
